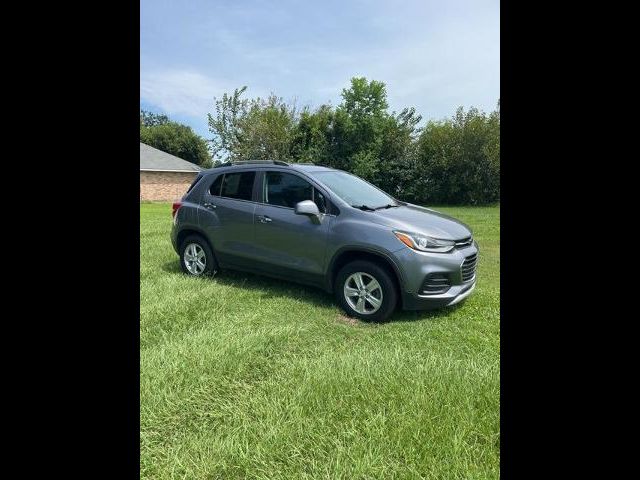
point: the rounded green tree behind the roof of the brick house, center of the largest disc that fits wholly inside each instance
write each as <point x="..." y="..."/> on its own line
<point x="174" y="138"/>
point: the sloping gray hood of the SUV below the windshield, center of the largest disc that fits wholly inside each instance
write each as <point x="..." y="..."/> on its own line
<point x="413" y="218"/>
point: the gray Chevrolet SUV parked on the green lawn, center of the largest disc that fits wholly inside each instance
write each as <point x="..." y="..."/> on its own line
<point x="327" y="228"/>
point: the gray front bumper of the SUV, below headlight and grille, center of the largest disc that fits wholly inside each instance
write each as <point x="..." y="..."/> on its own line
<point x="415" y="267"/>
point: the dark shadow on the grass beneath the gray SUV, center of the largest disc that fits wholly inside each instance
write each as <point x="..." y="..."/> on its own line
<point x="276" y="288"/>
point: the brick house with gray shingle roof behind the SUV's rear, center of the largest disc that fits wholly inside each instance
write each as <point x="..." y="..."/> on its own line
<point x="164" y="177"/>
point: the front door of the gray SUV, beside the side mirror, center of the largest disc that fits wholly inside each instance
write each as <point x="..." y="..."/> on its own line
<point x="284" y="239"/>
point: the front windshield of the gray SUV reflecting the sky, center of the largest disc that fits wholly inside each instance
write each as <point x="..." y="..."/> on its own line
<point x="355" y="191"/>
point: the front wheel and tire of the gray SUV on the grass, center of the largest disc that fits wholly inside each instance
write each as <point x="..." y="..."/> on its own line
<point x="362" y="304"/>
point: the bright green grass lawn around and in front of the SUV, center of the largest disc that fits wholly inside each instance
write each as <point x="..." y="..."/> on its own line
<point x="247" y="377"/>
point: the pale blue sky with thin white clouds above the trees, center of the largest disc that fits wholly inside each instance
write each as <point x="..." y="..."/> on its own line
<point x="432" y="55"/>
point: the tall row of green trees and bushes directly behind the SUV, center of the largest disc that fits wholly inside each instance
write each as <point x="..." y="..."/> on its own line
<point x="450" y="161"/>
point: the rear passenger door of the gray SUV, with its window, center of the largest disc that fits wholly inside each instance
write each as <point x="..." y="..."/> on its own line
<point x="226" y="215"/>
